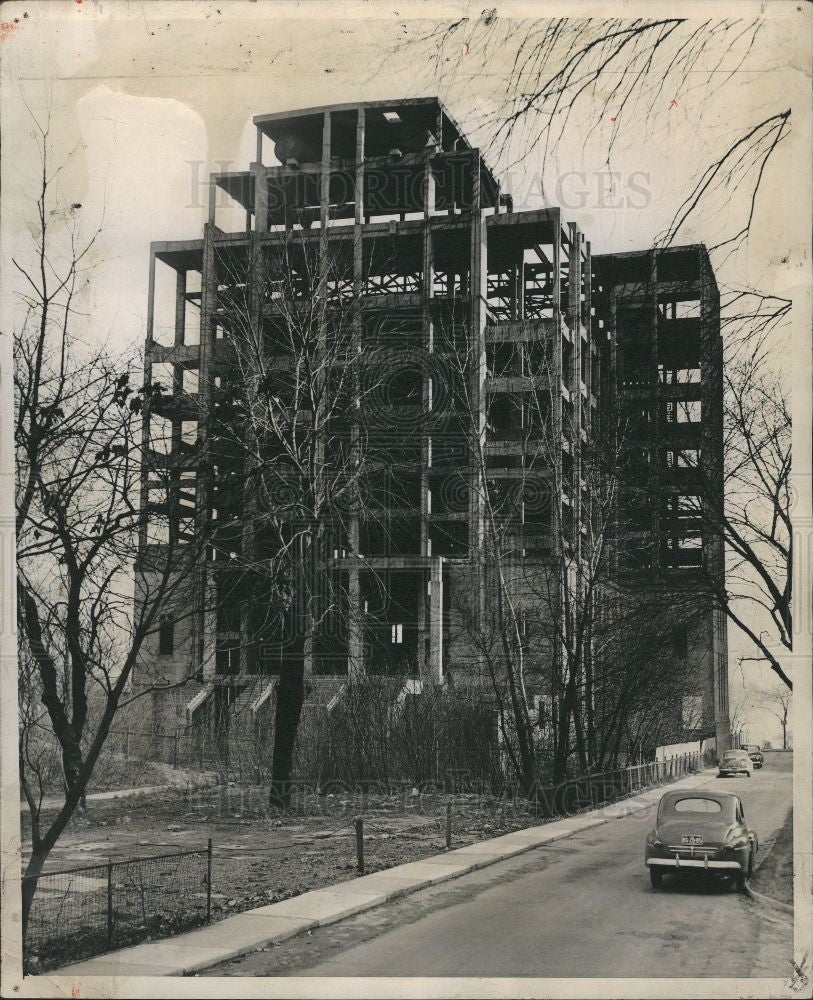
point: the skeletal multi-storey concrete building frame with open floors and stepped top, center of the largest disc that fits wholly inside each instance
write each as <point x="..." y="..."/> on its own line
<point x="460" y="361"/>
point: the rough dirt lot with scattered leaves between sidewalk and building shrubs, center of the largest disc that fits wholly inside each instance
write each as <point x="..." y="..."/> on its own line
<point x="260" y="856"/>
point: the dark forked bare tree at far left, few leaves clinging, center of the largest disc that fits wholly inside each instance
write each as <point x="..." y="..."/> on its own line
<point x="78" y="456"/>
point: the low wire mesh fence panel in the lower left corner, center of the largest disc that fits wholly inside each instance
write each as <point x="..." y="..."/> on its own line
<point x="79" y="912"/>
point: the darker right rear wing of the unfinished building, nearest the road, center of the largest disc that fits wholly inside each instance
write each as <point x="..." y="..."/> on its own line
<point x="664" y="309"/>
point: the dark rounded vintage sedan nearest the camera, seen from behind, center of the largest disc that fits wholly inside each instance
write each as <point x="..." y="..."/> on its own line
<point x="701" y="831"/>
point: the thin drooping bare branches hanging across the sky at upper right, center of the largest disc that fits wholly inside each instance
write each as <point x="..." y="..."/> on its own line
<point x="586" y="72"/>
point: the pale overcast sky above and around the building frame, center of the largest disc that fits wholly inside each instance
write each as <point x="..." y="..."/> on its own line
<point x="148" y="97"/>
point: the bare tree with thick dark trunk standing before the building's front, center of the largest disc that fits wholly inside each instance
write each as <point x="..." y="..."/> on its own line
<point x="288" y="422"/>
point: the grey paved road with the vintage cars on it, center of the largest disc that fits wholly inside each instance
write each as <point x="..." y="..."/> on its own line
<point x="580" y="907"/>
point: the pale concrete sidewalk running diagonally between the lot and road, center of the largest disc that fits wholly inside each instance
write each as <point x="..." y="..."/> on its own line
<point x="254" y="929"/>
